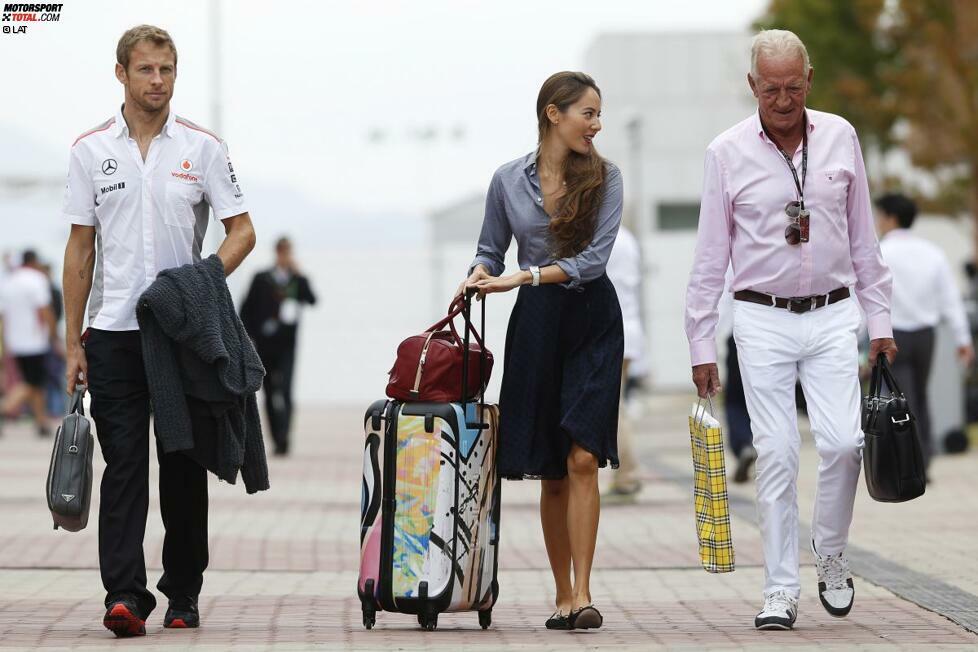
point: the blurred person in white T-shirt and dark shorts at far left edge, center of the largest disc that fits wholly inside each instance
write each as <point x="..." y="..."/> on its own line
<point x="29" y="329"/>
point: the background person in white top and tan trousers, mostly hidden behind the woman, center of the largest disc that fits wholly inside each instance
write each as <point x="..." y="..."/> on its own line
<point x="625" y="271"/>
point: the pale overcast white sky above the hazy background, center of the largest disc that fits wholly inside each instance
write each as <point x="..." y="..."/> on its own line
<point x="367" y="107"/>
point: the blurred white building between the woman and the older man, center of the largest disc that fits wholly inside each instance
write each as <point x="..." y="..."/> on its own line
<point x="665" y="97"/>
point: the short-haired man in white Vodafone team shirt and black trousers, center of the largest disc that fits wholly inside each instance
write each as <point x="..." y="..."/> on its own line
<point x="140" y="188"/>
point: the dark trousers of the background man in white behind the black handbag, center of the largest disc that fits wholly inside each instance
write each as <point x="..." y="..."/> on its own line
<point x="912" y="371"/>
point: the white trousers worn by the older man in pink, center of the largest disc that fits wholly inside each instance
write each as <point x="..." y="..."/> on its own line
<point x="776" y="348"/>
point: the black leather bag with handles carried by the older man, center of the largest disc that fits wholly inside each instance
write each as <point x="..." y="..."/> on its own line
<point x="892" y="457"/>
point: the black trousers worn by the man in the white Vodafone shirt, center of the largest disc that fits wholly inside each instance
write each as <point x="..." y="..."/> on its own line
<point x="121" y="410"/>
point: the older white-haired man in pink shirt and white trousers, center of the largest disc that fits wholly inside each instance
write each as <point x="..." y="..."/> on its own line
<point x="786" y="203"/>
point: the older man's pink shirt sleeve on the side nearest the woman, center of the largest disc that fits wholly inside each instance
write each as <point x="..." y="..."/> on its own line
<point x="706" y="280"/>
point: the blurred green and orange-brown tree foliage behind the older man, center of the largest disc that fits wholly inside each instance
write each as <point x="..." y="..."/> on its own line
<point x="905" y="74"/>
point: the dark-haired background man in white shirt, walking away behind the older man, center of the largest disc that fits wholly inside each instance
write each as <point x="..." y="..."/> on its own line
<point x="924" y="293"/>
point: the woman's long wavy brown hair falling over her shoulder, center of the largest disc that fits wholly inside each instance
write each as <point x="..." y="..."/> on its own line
<point x="576" y="214"/>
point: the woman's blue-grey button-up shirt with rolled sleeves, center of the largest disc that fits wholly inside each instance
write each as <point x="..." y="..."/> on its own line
<point x="514" y="207"/>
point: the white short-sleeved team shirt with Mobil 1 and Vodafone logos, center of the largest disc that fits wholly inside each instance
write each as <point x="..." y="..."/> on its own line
<point x="148" y="216"/>
